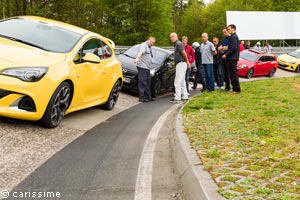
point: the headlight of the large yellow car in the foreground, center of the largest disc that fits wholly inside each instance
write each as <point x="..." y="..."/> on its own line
<point x="28" y="74"/>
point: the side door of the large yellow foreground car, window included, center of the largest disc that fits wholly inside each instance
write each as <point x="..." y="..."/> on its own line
<point x="91" y="77"/>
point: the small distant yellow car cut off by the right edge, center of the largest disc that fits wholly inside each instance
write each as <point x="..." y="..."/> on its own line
<point x="290" y="61"/>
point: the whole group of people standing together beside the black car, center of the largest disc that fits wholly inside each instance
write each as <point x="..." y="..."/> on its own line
<point x="215" y="62"/>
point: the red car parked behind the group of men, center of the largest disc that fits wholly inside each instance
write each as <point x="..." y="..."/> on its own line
<point x="253" y="63"/>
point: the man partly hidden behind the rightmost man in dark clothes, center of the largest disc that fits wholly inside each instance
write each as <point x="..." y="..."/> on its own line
<point x="223" y="48"/>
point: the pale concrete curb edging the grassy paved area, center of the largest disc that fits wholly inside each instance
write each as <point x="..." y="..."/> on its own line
<point x="196" y="182"/>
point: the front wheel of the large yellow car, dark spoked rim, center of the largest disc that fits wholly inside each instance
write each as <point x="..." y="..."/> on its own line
<point x="57" y="106"/>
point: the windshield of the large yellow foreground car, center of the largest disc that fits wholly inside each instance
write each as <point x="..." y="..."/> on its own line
<point x="39" y="34"/>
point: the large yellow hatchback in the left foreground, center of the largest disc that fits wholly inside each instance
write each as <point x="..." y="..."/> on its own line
<point x="49" y="69"/>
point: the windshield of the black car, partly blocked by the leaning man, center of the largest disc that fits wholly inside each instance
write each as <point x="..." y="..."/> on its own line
<point x="159" y="56"/>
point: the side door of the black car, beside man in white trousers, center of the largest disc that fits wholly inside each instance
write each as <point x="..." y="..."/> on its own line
<point x="169" y="71"/>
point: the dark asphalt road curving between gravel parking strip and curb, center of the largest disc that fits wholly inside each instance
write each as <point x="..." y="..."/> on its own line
<point x="102" y="163"/>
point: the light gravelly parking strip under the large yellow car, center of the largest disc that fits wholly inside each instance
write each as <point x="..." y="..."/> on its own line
<point x="24" y="146"/>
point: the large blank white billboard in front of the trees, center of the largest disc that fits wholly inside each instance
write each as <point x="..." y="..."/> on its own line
<point x="265" y="25"/>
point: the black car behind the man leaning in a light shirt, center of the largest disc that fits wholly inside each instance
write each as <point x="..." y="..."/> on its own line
<point x="162" y="70"/>
